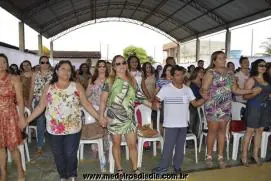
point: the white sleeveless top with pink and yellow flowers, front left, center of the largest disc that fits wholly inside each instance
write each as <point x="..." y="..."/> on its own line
<point x="63" y="115"/>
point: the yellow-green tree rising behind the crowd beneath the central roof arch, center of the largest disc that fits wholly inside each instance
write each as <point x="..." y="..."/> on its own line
<point x="138" y="51"/>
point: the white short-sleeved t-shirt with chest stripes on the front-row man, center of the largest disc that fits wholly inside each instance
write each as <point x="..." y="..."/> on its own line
<point x="176" y="105"/>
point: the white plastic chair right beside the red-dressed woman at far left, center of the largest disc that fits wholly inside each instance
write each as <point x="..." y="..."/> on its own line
<point x="23" y="148"/>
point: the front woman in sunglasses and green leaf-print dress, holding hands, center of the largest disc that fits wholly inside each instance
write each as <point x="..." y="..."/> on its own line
<point x="120" y="92"/>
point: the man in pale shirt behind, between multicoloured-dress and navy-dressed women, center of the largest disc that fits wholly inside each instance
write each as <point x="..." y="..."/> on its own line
<point x="242" y="76"/>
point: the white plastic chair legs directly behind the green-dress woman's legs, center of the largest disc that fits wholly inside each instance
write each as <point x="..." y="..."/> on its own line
<point x="111" y="158"/>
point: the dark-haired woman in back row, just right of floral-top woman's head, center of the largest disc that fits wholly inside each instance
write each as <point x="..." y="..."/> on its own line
<point x="84" y="75"/>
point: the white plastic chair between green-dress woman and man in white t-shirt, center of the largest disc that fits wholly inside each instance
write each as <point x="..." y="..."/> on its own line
<point x="146" y="119"/>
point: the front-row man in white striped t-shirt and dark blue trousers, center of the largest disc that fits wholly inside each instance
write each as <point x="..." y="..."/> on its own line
<point x="176" y="97"/>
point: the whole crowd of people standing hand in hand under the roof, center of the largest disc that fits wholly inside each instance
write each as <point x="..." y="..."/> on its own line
<point x="109" y="93"/>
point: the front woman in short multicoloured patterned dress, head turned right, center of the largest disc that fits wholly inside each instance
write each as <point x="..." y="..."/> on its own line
<point x="218" y="83"/>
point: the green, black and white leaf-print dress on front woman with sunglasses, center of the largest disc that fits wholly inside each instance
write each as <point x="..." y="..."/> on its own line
<point x="120" y="106"/>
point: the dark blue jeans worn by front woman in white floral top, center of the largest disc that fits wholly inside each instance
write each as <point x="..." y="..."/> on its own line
<point x="64" y="148"/>
